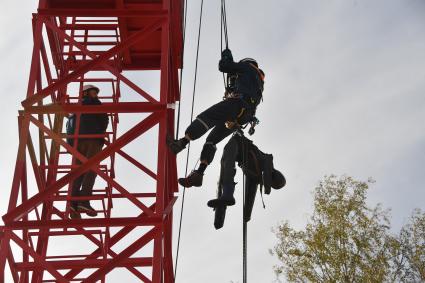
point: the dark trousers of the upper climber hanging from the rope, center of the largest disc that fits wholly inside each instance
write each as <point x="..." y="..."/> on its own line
<point x="215" y="117"/>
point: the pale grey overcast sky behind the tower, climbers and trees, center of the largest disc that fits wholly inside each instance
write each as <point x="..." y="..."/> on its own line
<point x="344" y="94"/>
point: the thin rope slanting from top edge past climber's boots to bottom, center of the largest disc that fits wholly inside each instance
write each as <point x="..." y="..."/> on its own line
<point x="188" y="149"/>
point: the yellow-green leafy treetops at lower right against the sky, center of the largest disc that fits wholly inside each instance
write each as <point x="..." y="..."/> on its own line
<point x="345" y="240"/>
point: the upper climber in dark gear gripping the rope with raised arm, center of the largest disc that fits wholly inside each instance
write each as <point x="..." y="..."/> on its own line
<point x="242" y="96"/>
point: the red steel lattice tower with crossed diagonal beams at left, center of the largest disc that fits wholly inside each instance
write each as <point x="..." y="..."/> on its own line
<point x="161" y="261"/>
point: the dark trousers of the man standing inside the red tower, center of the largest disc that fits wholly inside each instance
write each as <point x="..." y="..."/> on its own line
<point x="88" y="148"/>
